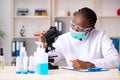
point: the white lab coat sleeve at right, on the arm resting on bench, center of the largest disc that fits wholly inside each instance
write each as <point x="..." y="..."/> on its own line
<point x="111" y="58"/>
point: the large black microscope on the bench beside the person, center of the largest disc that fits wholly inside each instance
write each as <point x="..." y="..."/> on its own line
<point x="49" y="38"/>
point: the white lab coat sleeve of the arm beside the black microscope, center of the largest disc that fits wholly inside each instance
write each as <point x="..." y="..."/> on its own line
<point x="58" y="50"/>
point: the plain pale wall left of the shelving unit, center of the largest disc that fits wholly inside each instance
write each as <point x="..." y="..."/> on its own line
<point x="5" y="25"/>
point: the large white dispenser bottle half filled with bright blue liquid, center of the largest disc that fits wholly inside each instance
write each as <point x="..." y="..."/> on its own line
<point x="42" y="62"/>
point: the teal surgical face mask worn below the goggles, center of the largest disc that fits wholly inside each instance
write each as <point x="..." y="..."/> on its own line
<point x="77" y="35"/>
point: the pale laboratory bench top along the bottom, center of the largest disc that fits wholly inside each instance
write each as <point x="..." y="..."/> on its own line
<point x="60" y="74"/>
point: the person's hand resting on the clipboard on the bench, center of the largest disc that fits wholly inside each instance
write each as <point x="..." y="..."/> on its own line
<point x="78" y="64"/>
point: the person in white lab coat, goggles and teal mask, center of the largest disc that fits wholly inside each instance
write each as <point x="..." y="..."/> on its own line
<point x="85" y="47"/>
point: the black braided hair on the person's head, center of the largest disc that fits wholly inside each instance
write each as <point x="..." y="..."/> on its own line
<point x="88" y="14"/>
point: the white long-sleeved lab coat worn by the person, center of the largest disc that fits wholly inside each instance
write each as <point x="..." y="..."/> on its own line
<point x="96" y="47"/>
